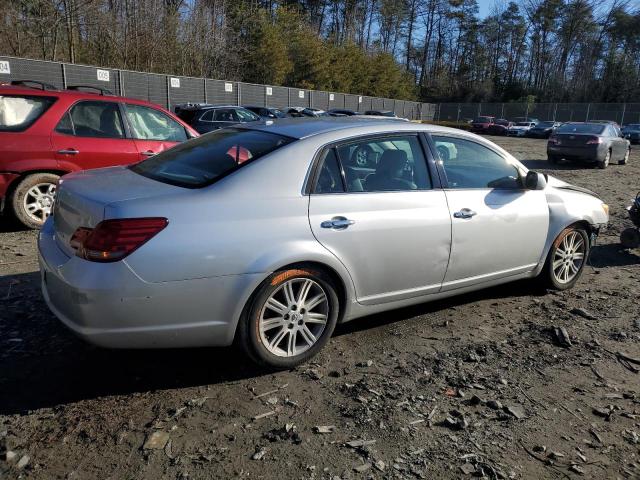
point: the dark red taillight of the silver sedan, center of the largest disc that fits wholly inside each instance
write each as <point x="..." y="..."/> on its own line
<point x="112" y="240"/>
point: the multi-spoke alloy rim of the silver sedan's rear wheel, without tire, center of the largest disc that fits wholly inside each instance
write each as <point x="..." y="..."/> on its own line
<point x="294" y="317"/>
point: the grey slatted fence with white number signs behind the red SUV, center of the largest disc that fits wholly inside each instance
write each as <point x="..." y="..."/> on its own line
<point x="171" y="90"/>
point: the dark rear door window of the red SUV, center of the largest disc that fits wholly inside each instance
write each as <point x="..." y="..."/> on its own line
<point x="93" y="119"/>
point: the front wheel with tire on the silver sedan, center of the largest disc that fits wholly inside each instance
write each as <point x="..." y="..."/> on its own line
<point x="553" y="273"/>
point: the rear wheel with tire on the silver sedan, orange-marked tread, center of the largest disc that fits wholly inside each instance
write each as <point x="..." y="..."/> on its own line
<point x="277" y="331"/>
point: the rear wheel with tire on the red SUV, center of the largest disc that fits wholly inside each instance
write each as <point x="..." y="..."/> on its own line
<point x="32" y="199"/>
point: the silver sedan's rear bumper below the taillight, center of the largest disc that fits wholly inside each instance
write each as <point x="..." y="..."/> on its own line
<point x="108" y="305"/>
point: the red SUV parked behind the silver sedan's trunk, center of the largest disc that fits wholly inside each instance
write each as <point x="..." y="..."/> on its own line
<point x="45" y="133"/>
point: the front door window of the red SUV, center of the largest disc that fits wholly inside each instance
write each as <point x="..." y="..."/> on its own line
<point x="150" y="124"/>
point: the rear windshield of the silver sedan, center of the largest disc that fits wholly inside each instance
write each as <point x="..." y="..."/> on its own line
<point x="202" y="161"/>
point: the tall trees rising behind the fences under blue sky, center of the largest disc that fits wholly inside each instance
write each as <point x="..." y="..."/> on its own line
<point x="431" y="50"/>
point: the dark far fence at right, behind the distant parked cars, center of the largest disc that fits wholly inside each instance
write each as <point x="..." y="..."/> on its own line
<point x="621" y="113"/>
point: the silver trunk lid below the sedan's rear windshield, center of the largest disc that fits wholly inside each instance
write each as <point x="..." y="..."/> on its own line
<point x="81" y="198"/>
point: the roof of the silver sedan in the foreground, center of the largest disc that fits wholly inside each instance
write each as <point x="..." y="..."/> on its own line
<point x="300" y="128"/>
